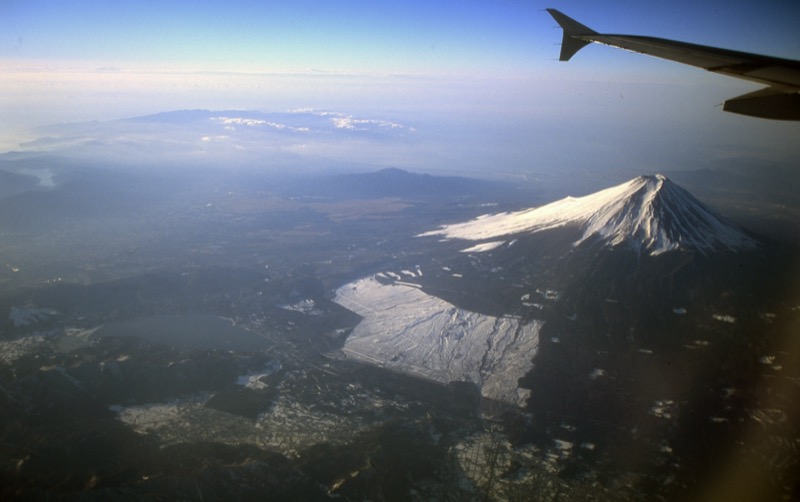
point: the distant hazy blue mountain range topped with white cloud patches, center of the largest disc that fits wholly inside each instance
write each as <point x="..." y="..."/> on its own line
<point x="232" y="137"/>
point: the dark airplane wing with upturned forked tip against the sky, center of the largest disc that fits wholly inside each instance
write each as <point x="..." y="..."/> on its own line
<point x="779" y="100"/>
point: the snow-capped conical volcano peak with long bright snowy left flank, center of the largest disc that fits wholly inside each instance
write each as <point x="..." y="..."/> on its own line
<point x="650" y="213"/>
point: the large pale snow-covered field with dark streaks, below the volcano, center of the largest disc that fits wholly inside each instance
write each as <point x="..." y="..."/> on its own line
<point x="407" y="330"/>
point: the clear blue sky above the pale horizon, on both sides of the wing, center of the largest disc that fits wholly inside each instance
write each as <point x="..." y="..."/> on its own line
<point x="359" y="35"/>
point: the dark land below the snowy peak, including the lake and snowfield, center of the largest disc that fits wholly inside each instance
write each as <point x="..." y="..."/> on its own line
<point x="237" y="339"/>
